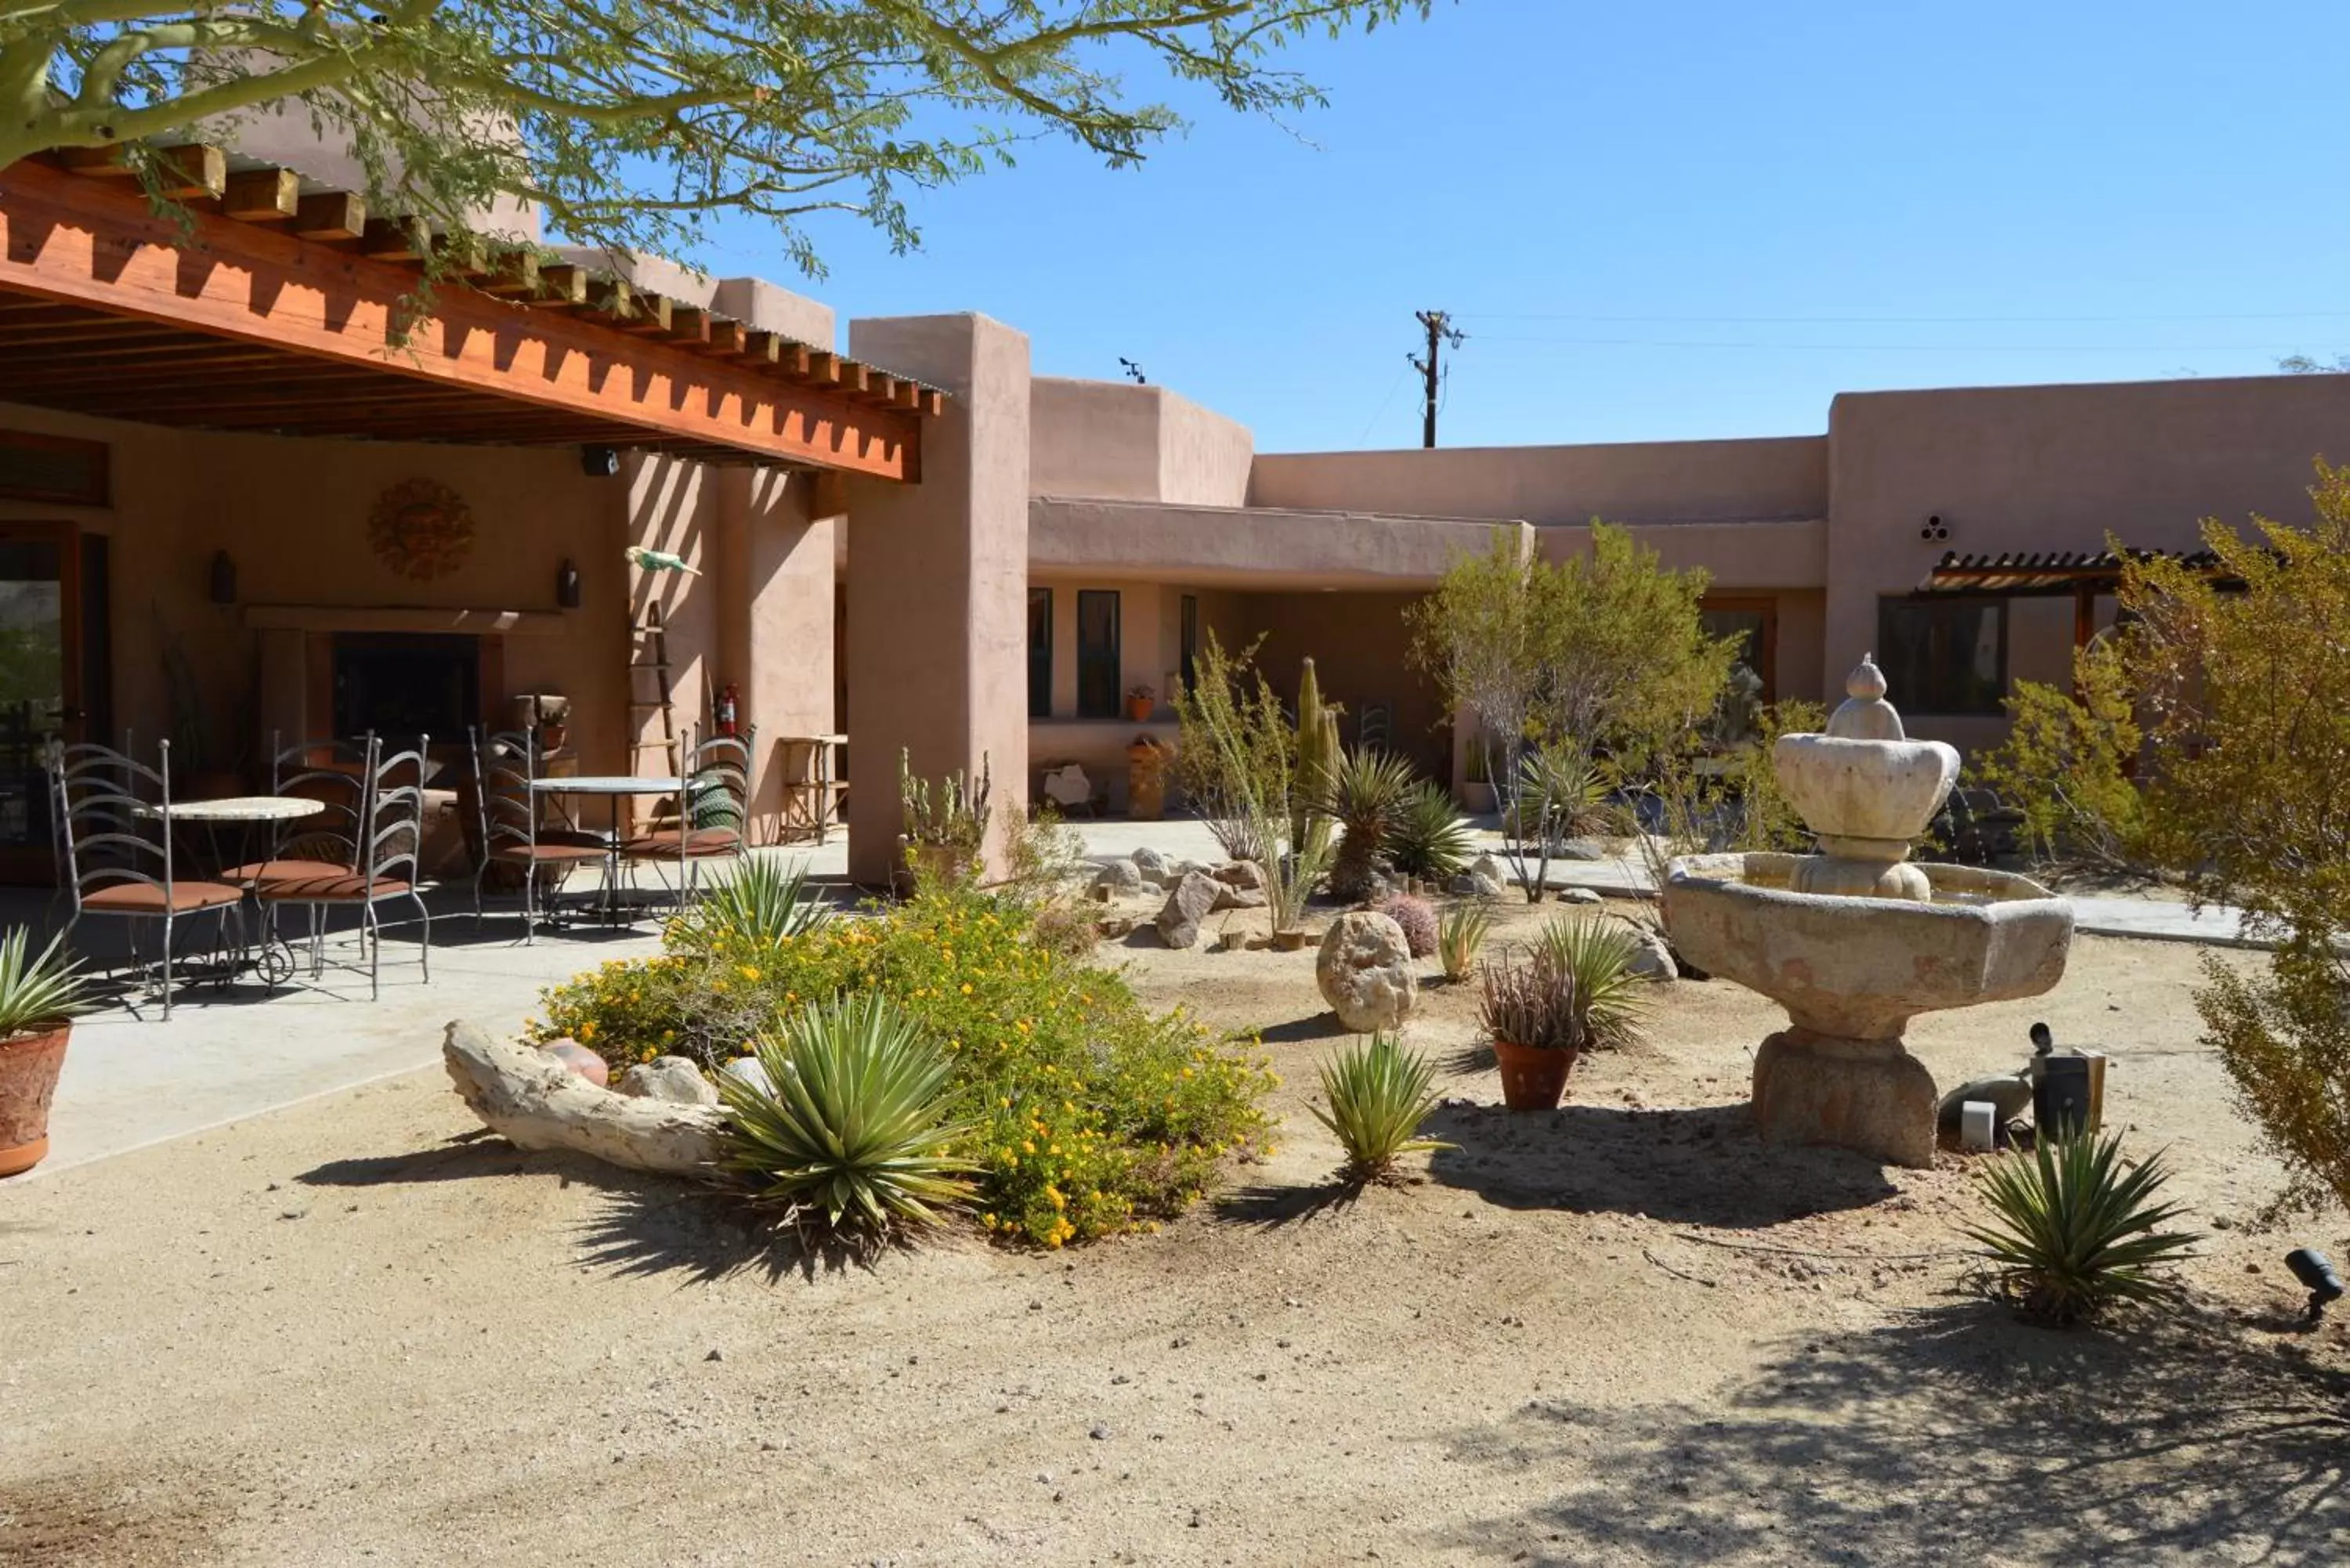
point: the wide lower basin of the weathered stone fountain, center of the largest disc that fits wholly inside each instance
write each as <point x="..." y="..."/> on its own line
<point x="1862" y="967"/>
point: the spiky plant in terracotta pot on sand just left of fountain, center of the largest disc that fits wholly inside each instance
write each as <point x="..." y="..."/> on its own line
<point x="1576" y="991"/>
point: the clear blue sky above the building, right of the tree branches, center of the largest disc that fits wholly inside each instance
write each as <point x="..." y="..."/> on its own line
<point x="1681" y="220"/>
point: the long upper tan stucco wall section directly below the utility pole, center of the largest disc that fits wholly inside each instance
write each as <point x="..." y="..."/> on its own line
<point x="1620" y="483"/>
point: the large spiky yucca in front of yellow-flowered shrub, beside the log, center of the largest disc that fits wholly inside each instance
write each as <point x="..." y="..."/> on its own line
<point x="850" y="1139"/>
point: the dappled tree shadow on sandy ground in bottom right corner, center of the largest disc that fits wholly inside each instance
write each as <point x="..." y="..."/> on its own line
<point x="1954" y="1435"/>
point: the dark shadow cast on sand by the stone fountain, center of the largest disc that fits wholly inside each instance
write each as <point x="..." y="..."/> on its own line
<point x="1691" y="1167"/>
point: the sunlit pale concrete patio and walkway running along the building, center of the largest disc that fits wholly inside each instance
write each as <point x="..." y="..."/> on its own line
<point x="133" y="1080"/>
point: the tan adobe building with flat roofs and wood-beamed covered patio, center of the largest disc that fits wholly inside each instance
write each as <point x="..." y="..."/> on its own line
<point x="239" y="504"/>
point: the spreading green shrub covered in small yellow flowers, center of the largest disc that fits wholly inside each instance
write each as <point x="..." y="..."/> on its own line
<point x="1092" y="1113"/>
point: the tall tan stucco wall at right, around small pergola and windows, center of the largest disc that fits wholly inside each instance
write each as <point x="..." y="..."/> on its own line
<point x="2055" y="469"/>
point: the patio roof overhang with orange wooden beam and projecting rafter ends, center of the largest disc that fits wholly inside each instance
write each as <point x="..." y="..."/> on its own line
<point x="276" y="309"/>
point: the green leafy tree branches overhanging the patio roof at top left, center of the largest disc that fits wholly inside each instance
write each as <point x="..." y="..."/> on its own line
<point x="638" y="123"/>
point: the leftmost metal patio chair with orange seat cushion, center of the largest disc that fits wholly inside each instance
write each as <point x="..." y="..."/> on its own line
<point x="114" y="843"/>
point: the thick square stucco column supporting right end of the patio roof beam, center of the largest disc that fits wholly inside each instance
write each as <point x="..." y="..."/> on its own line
<point x="939" y="584"/>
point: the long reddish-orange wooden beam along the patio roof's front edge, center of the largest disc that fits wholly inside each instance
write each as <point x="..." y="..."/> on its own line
<point x="95" y="243"/>
